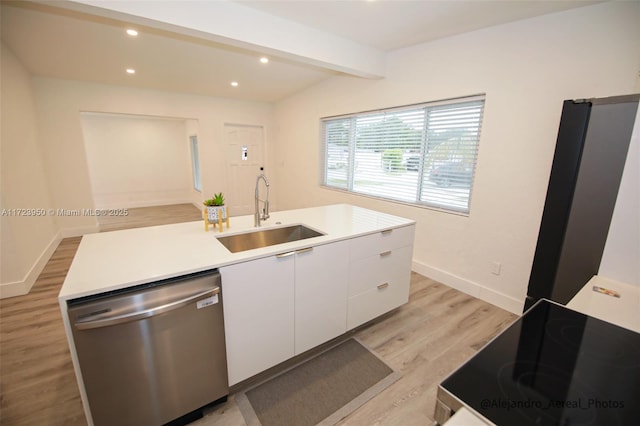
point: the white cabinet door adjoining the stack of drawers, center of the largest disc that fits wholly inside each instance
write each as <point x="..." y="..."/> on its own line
<point x="321" y="294"/>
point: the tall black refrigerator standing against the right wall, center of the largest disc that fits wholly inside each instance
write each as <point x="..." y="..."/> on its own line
<point x="590" y="154"/>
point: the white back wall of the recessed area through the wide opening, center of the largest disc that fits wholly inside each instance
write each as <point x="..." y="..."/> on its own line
<point x="137" y="161"/>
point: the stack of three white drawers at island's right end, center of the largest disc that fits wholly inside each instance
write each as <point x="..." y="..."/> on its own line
<point x="379" y="274"/>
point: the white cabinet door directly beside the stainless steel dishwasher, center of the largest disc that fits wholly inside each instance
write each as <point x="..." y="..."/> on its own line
<point x="258" y="315"/>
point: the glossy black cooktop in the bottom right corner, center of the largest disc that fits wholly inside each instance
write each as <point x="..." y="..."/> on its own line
<point x="554" y="366"/>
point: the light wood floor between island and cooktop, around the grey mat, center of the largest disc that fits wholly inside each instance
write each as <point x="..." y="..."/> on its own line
<point x="425" y="340"/>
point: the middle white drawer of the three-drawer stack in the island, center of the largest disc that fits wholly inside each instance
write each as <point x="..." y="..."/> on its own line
<point x="391" y="267"/>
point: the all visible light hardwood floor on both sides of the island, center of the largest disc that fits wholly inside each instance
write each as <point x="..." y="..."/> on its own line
<point x="425" y="339"/>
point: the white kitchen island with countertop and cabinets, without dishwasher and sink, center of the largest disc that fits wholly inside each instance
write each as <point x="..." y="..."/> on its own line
<point x="280" y="300"/>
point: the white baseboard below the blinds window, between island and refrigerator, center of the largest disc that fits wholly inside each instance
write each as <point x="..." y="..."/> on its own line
<point x="471" y="288"/>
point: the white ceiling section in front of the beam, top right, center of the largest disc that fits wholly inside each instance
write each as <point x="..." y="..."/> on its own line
<point x="392" y="24"/>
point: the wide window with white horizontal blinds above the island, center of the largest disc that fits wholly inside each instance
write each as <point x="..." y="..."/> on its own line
<point x="420" y="154"/>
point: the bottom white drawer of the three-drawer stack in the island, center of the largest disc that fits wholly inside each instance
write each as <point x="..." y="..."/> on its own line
<point x="375" y="302"/>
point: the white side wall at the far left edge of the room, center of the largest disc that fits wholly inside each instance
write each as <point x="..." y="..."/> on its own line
<point x="27" y="240"/>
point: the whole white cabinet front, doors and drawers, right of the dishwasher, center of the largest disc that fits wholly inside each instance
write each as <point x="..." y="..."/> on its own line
<point x="284" y="305"/>
